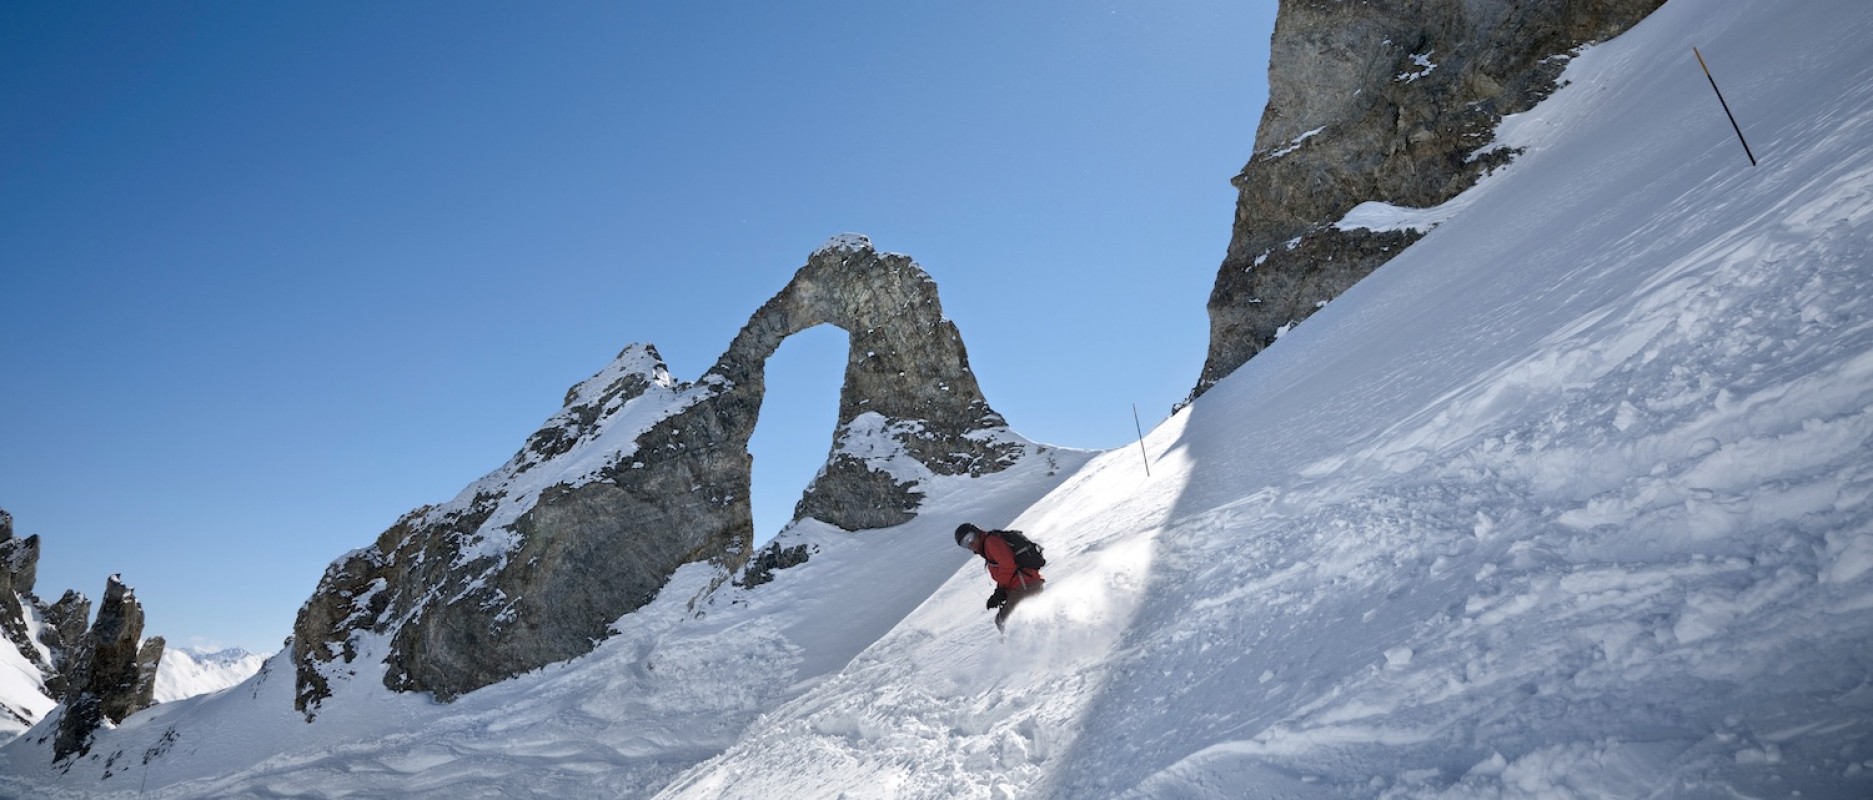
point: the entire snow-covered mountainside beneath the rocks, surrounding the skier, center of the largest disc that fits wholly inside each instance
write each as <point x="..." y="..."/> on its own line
<point x="1572" y="499"/>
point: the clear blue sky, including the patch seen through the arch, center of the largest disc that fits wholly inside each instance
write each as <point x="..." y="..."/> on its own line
<point x="274" y="274"/>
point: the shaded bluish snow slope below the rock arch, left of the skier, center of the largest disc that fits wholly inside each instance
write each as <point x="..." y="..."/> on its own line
<point x="681" y="681"/>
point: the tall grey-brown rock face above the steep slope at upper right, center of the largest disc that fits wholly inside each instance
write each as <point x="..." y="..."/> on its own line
<point x="1387" y="100"/>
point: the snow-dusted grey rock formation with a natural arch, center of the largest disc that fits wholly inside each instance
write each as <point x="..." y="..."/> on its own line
<point x="642" y="475"/>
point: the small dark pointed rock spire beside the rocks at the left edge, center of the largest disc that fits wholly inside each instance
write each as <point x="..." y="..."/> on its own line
<point x="113" y="672"/>
